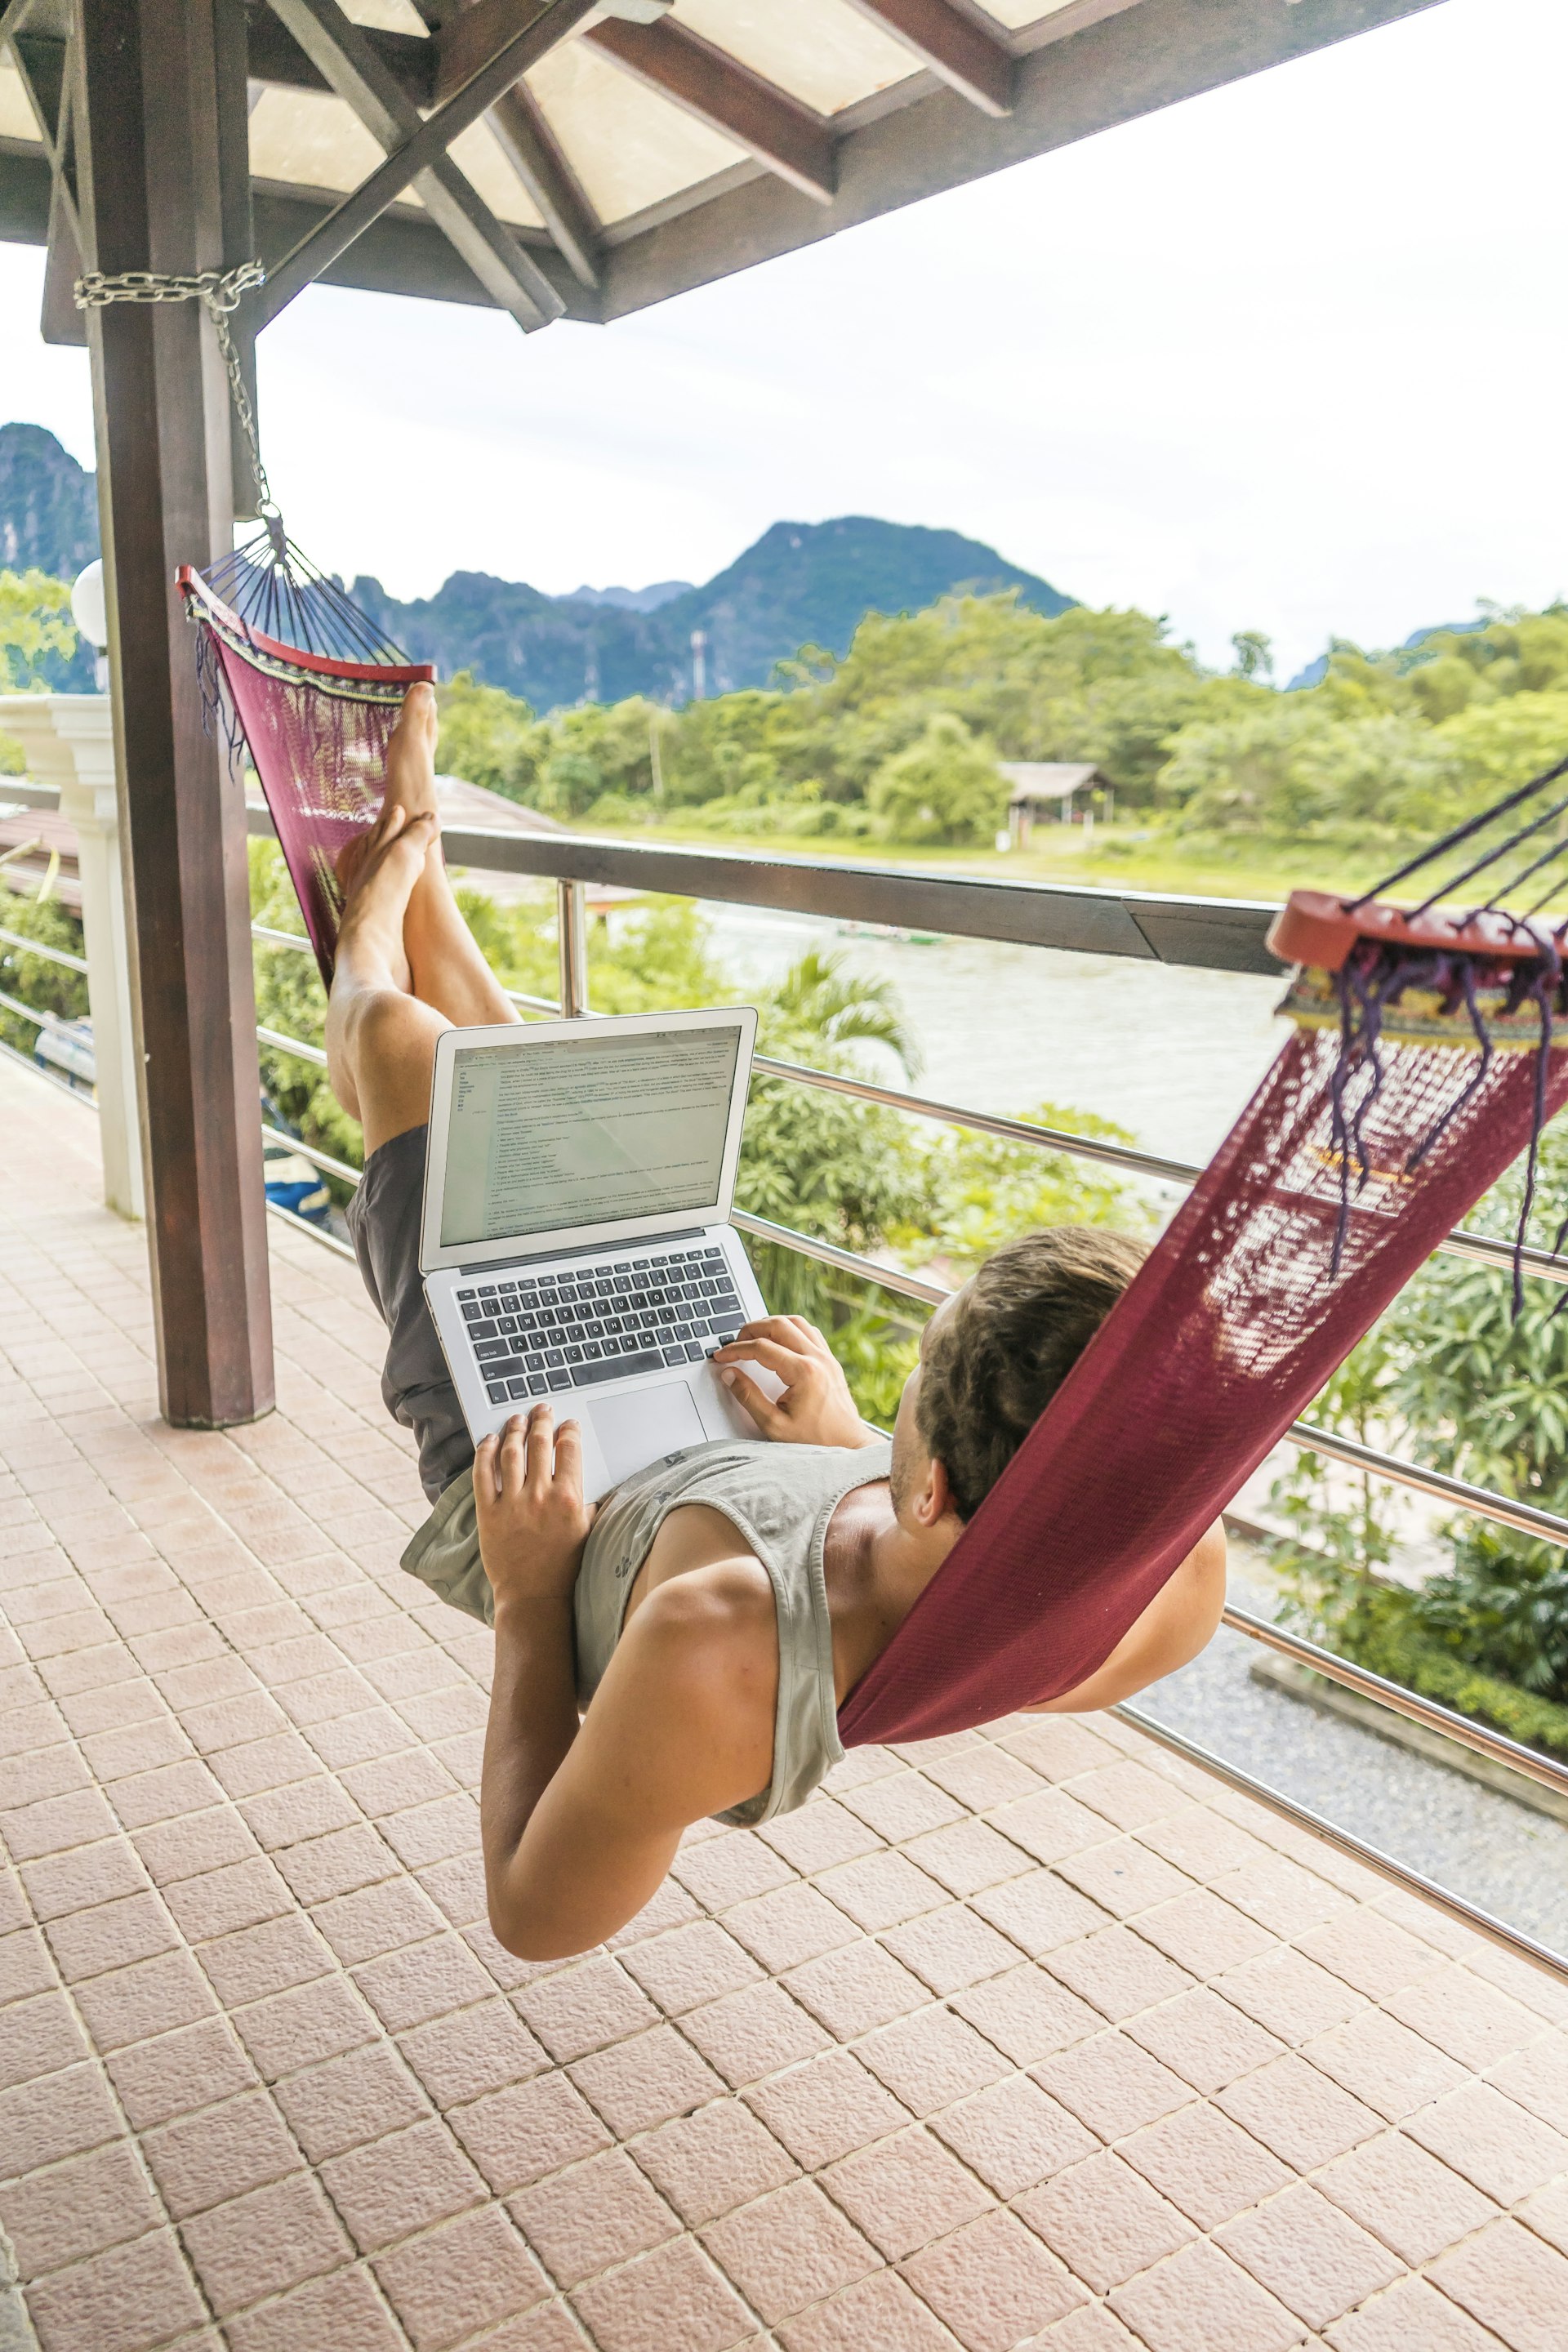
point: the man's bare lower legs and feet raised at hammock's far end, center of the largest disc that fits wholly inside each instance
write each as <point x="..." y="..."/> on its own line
<point x="408" y="965"/>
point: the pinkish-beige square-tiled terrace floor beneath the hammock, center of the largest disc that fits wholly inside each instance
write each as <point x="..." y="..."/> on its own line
<point x="1026" y="2038"/>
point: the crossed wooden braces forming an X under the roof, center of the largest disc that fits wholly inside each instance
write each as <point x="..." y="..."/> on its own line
<point x="417" y="154"/>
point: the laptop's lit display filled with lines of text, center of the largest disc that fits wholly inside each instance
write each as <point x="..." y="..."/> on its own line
<point x="587" y="1130"/>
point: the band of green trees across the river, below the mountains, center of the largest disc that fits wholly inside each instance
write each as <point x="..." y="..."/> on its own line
<point x="904" y="735"/>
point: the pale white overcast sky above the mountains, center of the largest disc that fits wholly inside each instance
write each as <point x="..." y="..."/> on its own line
<point x="1287" y="356"/>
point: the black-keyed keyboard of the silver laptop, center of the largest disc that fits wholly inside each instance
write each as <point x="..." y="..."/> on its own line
<point x="575" y="1330"/>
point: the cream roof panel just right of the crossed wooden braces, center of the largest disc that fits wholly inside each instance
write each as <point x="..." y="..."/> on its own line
<point x="626" y="145"/>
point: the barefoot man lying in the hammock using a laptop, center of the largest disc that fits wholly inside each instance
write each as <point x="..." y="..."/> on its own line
<point x="681" y="1648"/>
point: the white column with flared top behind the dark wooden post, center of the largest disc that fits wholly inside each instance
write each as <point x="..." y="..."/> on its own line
<point x="69" y="744"/>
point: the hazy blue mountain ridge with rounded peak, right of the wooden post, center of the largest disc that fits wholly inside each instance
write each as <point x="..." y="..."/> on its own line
<point x="800" y="584"/>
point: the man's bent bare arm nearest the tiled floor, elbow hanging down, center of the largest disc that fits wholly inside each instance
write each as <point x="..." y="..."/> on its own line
<point x="579" y="1826"/>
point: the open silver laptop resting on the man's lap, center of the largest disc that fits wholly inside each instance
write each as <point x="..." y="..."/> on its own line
<point x="577" y="1236"/>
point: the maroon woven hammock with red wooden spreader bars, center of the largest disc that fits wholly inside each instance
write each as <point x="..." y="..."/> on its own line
<point x="1426" y="1055"/>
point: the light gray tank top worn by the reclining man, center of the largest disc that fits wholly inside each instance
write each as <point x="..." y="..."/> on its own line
<point x="779" y="1499"/>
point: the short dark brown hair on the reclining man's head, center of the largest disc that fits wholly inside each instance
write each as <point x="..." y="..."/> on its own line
<point x="1010" y="1342"/>
